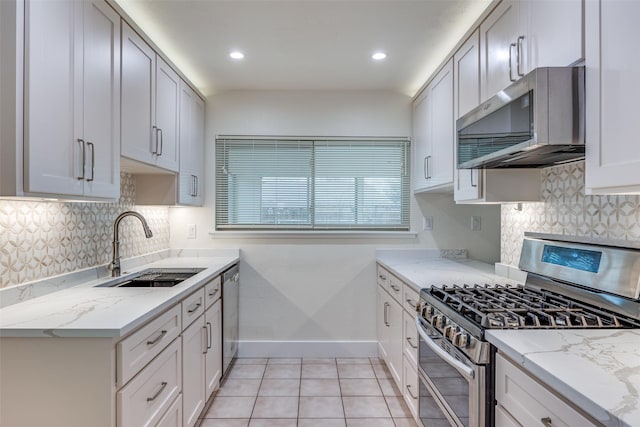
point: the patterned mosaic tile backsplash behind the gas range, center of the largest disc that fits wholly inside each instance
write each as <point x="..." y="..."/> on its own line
<point x="565" y="209"/>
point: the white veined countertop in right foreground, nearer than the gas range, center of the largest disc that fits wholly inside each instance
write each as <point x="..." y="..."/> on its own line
<point x="597" y="370"/>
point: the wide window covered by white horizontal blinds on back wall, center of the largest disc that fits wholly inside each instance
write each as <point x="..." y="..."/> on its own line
<point x="315" y="184"/>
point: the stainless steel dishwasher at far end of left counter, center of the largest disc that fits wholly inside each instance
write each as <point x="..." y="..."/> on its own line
<point x="230" y="315"/>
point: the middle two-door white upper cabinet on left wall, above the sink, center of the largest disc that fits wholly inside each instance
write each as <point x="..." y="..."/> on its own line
<point x="150" y="93"/>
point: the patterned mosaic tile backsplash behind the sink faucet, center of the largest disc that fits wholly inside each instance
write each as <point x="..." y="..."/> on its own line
<point x="44" y="239"/>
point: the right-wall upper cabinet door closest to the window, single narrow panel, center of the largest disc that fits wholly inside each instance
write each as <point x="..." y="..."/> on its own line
<point x="421" y="140"/>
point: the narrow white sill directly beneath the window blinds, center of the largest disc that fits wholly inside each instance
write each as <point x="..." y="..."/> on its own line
<point x="313" y="234"/>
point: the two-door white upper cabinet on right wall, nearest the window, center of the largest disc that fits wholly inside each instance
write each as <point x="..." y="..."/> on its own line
<point x="433" y="134"/>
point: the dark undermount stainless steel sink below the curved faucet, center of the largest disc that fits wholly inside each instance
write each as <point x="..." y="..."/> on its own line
<point x="153" y="278"/>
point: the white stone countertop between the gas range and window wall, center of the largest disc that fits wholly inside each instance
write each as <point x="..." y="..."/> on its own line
<point x="424" y="268"/>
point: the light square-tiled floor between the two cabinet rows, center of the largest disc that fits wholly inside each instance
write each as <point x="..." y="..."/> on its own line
<point x="308" y="392"/>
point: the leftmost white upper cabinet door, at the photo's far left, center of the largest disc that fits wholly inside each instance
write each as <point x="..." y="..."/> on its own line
<point x="53" y="97"/>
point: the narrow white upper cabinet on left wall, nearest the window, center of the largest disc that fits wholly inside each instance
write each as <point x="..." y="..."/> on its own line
<point x="190" y="176"/>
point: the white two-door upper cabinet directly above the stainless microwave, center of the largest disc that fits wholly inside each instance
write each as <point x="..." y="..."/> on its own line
<point x="519" y="36"/>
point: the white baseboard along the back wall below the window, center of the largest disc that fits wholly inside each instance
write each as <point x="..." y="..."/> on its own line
<point x="266" y="348"/>
